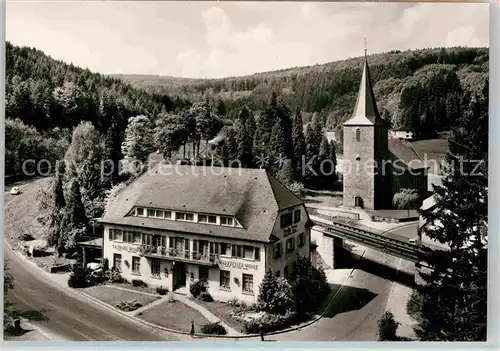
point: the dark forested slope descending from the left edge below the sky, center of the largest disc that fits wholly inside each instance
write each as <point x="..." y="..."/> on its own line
<point x="46" y="98"/>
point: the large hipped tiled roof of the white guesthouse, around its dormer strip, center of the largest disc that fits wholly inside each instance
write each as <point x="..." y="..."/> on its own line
<point x="252" y="196"/>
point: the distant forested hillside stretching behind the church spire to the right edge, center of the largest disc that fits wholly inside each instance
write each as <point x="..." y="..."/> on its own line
<point x="419" y="89"/>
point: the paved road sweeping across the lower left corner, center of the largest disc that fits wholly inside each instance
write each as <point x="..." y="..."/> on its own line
<point x="70" y="317"/>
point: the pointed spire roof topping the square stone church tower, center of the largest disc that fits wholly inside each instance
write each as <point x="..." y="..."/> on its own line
<point x="365" y="111"/>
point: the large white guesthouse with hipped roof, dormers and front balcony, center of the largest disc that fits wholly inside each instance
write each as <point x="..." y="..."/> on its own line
<point x="226" y="226"/>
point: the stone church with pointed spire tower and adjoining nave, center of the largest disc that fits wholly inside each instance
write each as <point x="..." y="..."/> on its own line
<point x="375" y="166"/>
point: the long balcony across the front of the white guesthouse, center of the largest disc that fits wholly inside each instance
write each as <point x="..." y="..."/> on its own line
<point x="179" y="255"/>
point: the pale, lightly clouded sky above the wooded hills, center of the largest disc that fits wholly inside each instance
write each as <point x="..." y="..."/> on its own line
<point x="218" y="39"/>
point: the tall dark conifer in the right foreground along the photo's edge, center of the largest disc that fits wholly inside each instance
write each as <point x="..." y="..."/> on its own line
<point x="453" y="296"/>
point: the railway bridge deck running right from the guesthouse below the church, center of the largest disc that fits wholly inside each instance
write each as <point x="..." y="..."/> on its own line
<point x="392" y="244"/>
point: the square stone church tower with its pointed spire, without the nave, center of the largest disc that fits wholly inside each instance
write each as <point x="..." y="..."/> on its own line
<point x="366" y="183"/>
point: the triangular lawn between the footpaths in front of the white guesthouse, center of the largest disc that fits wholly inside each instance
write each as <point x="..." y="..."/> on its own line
<point x="174" y="315"/>
